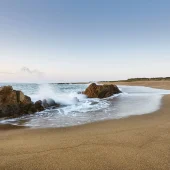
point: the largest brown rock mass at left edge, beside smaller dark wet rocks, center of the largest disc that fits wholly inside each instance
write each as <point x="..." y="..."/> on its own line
<point x="14" y="103"/>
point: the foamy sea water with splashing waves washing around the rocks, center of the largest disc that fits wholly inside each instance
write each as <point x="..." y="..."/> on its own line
<point x="135" y="100"/>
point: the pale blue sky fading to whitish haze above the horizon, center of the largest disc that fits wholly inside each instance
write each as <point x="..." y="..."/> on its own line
<point x="90" y="40"/>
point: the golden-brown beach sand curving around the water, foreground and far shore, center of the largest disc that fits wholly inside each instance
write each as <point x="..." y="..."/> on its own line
<point x="134" y="143"/>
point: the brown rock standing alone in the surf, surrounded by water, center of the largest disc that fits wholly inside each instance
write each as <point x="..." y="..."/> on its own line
<point x="101" y="91"/>
